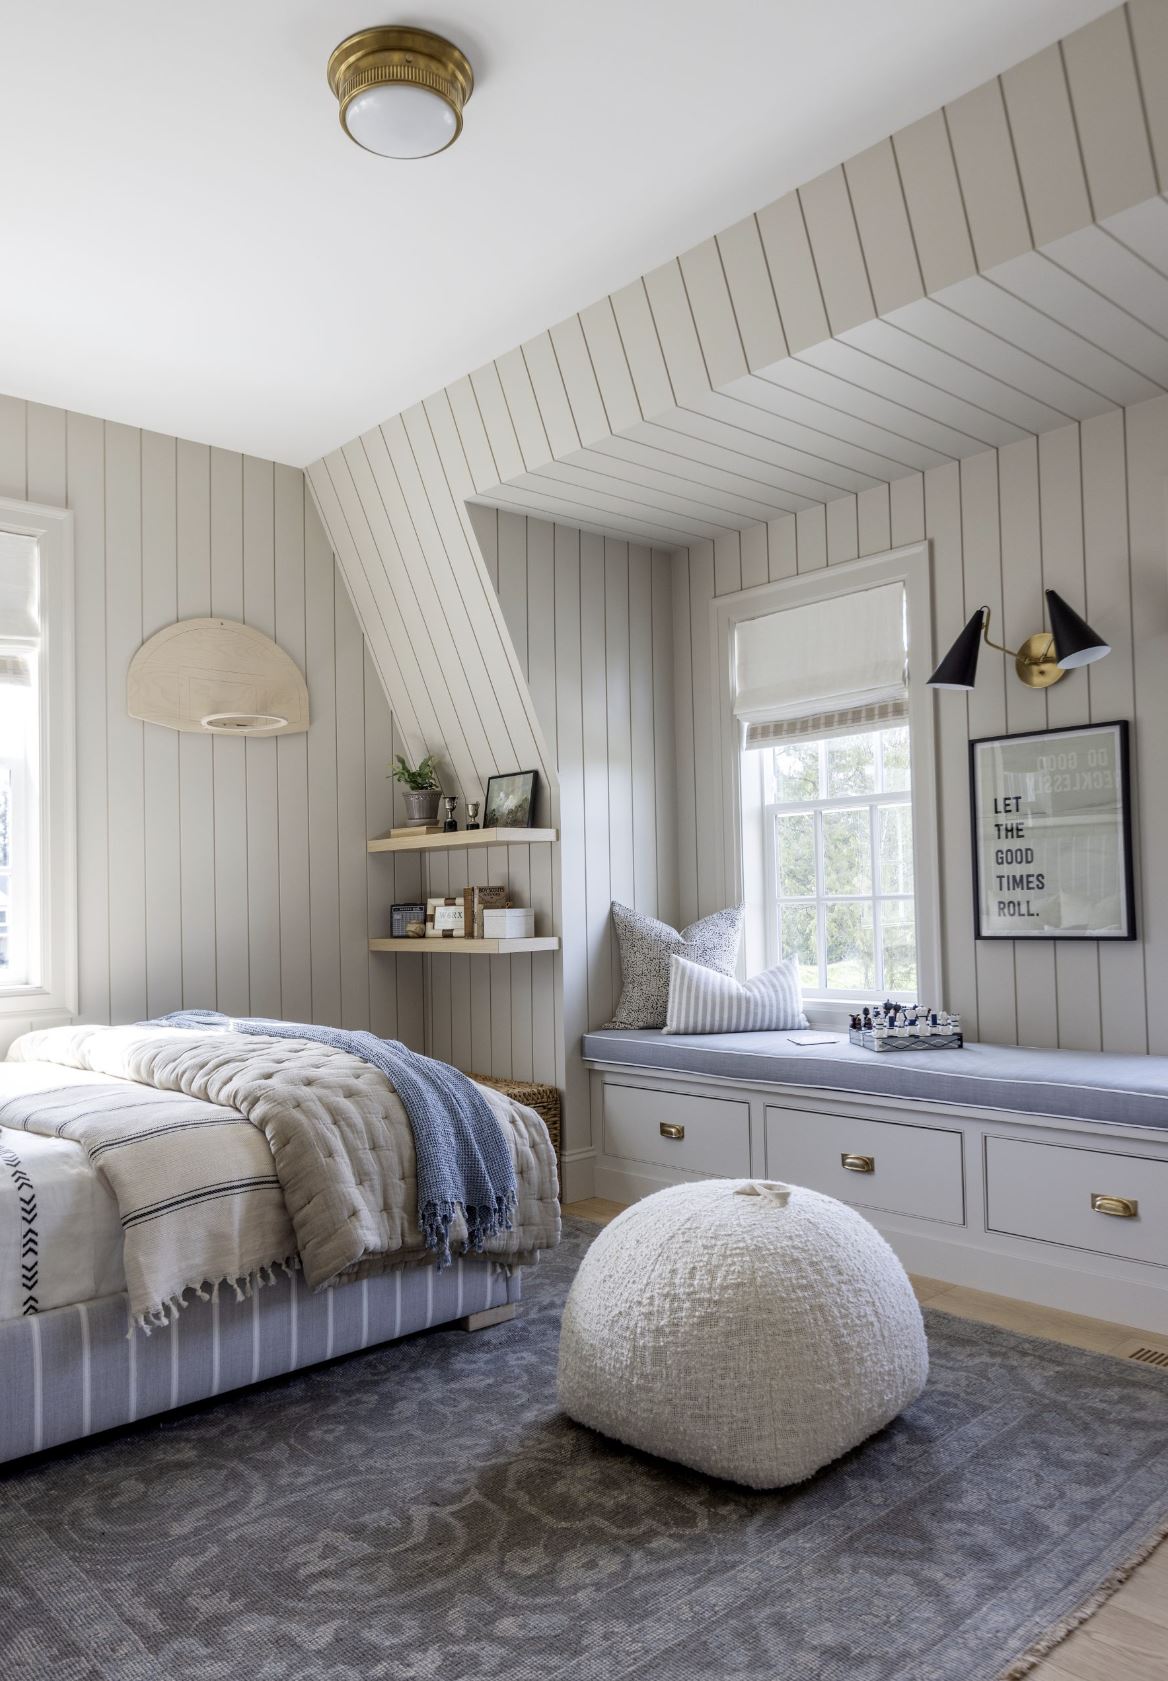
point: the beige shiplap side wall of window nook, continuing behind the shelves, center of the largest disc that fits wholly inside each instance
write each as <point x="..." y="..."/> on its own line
<point x="591" y="621"/>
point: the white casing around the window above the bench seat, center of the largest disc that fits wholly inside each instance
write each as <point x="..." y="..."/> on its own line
<point x="903" y="566"/>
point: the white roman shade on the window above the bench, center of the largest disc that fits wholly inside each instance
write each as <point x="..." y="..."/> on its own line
<point x="826" y="668"/>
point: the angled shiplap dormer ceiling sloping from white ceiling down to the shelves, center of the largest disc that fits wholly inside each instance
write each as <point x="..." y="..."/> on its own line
<point x="997" y="270"/>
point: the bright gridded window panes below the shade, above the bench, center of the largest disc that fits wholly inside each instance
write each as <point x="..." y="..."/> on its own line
<point x="838" y="823"/>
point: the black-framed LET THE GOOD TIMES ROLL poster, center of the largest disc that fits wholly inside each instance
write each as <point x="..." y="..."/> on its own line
<point x="1053" y="835"/>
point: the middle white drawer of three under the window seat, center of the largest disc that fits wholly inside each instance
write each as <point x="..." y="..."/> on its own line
<point x="888" y="1166"/>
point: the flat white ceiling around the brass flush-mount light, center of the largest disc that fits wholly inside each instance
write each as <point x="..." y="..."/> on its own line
<point x="192" y="245"/>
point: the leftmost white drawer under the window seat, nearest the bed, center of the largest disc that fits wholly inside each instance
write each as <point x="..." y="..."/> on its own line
<point x="702" y="1136"/>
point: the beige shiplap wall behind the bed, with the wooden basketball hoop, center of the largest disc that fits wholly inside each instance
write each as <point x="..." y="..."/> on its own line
<point x="216" y="873"/>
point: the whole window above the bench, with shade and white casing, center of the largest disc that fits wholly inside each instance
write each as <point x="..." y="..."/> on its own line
<point x="829" y="779"/>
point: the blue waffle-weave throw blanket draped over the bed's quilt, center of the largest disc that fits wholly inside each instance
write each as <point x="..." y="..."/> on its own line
<point x="463" y="1159"/>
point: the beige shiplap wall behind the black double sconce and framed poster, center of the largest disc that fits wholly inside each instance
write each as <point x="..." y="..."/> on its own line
<point x="1083" y="510"/>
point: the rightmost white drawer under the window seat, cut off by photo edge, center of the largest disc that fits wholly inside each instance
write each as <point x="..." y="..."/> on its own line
<point x="1086" y="1199"/>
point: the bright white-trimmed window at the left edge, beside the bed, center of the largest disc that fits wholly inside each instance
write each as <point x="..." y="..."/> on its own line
<point x="38" y="845"/>
